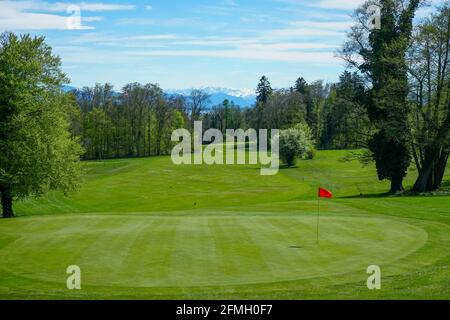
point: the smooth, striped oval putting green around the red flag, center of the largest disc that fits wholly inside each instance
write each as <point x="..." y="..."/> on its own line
<point x="188" y="251"/>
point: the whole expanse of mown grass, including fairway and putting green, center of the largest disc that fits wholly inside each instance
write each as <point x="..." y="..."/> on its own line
<point x="147" y="229"/>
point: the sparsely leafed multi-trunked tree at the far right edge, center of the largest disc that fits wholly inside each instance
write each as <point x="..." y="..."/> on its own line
<point x="429" y="59"/>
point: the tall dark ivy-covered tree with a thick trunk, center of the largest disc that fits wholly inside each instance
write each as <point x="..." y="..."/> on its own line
<point x="381" y="56"/>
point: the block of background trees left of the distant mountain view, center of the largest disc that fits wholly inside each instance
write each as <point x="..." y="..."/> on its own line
<point x="136" y="122"/>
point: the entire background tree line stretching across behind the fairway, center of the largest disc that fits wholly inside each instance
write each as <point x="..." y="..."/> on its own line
<point x="138" y="120"/>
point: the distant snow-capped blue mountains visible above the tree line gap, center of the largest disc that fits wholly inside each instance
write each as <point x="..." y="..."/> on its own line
<point x="240" y="97"/>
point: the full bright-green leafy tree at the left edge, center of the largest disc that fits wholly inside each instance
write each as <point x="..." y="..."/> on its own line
<point x="37" y="151"/>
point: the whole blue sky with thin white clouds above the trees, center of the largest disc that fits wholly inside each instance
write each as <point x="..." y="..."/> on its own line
<point x="187" y="43"/>
